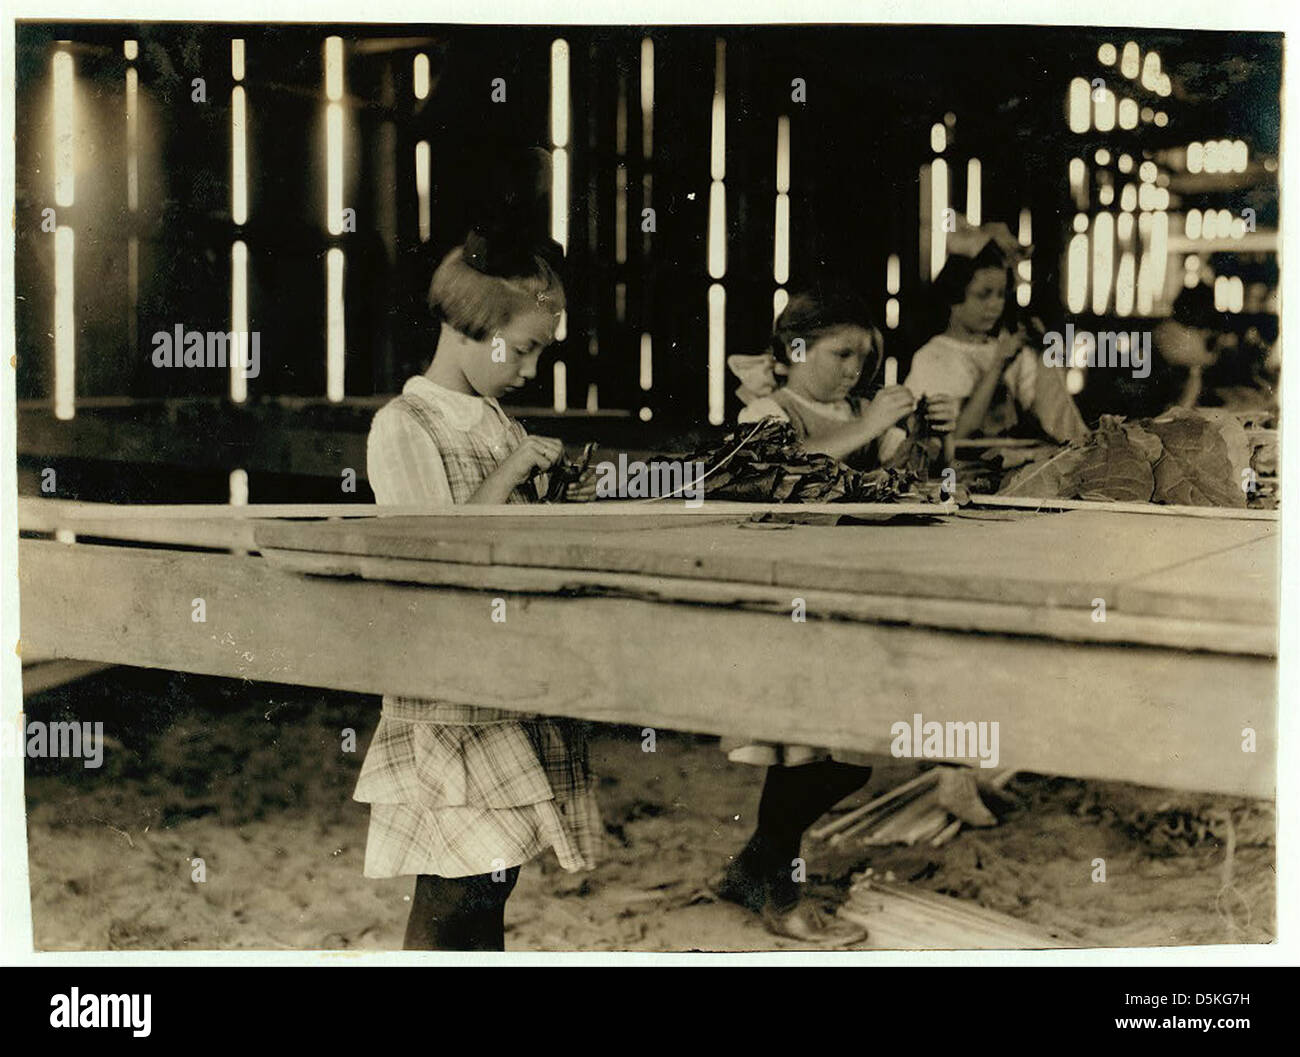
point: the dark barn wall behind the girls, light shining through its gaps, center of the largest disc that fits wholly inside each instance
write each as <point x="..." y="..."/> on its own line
<point x="432" y="123"/>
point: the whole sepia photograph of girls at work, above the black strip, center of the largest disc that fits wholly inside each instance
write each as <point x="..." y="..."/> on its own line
<point x="738" y="488"/>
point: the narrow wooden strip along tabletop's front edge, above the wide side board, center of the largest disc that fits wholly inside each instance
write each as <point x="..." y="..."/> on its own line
<point x="1063" y="625"/>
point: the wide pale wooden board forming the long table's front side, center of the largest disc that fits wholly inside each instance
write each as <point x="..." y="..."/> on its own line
<point x="1152" y="717"/>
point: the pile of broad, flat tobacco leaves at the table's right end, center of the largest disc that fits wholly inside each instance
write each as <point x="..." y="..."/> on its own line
<point x="1180" y="457"/>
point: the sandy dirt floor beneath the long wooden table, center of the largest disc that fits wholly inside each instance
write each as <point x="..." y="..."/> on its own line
<point x="253" y="779"/>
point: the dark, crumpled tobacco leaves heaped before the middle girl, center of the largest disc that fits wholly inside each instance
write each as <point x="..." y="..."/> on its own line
<point x="765" y="463"/>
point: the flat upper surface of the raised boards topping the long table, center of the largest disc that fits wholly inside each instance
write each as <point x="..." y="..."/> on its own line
<point x="1064" y="560"/>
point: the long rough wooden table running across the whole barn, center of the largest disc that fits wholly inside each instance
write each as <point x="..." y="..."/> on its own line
<point x="666" y="618"/>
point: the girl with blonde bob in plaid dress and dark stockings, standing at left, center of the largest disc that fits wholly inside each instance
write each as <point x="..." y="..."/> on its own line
<point x="462" y="795"/>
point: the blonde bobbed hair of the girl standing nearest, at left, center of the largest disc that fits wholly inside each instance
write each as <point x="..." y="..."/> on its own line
<point x="480" y="305"/>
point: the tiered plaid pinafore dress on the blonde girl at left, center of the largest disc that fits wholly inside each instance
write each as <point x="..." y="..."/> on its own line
<point x="458" y="790"/>
